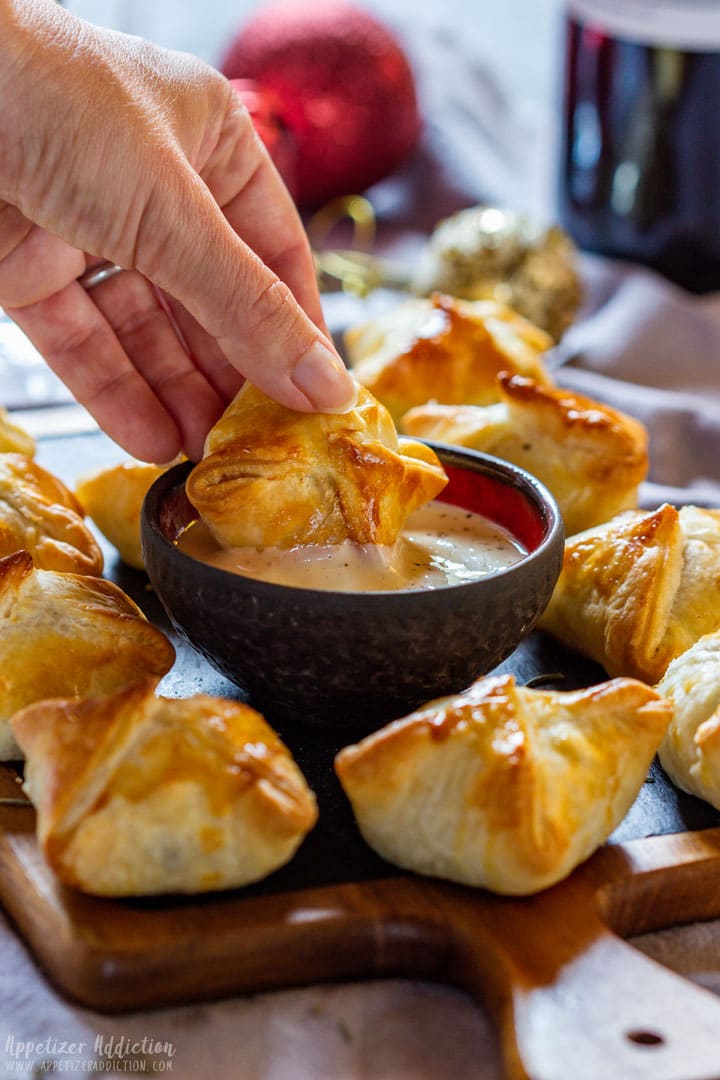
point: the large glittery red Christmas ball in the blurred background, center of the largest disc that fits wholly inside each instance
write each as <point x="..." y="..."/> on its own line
<point x="337" y="80"/>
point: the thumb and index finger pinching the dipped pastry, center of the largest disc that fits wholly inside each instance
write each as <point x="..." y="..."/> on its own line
<point x="244" y="292"/>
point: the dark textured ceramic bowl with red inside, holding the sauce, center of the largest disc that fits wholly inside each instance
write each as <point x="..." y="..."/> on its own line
<point x="360" y="659"/>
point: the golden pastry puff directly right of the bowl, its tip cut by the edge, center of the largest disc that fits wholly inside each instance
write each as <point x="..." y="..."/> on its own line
<point x="639" y="591"/>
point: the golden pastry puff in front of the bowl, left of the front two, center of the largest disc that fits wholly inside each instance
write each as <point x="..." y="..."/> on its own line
<point x="140" y="795"/>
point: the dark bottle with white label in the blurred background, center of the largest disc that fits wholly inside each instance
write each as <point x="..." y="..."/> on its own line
<point x="640" y="174"/>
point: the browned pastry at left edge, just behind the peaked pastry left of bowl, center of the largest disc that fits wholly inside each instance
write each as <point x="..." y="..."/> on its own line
<point x="40" y="515"/>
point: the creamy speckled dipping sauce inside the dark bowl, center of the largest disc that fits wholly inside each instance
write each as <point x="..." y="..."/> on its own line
<point x="441" y="545"/>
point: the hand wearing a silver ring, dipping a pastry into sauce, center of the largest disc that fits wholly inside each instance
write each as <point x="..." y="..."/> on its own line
<point x="112" y="148"/>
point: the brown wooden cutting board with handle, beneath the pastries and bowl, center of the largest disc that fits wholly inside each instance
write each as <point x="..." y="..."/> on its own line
<point x="569" y="996"/>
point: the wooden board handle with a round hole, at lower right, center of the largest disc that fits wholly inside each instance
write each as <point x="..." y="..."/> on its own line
<point x="573" y="1000"/>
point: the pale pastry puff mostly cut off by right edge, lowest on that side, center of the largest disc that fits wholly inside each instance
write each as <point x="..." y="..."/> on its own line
<point x="690" y="753"/>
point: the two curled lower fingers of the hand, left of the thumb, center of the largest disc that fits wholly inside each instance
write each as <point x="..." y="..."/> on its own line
<point x="135" y="402"/>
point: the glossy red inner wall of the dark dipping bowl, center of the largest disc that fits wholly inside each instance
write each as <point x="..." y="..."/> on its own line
<point x="500" y="502"/>
